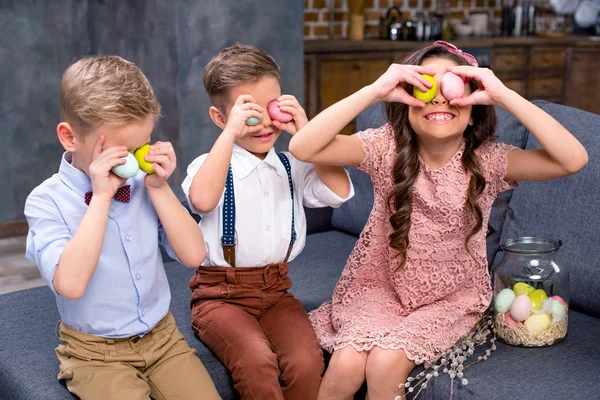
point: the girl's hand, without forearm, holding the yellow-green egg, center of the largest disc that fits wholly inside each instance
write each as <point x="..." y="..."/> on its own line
<point x="388" y="87"/>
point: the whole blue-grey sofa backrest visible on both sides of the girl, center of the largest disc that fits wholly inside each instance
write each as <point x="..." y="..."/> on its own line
<point x="564" y="209"/>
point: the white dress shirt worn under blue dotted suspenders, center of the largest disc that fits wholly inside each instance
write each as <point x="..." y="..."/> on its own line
<point x="263" y="208"/>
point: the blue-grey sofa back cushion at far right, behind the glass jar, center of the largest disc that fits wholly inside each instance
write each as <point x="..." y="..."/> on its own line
<point x="566" y="209"/>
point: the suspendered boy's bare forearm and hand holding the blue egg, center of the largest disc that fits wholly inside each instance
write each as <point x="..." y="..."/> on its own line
<point x="208" y="183"/>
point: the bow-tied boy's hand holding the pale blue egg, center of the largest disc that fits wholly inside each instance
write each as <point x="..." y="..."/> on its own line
<point x="104" y="182"/>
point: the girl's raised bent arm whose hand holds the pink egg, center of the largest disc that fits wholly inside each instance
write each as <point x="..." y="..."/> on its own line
<point x="561" y="153"/>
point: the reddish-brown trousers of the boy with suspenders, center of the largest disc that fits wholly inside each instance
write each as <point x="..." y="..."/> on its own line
<point x="259" y="330"/>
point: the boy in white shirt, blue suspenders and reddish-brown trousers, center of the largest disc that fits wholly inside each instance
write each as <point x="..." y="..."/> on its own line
<point x="251" y="202"/>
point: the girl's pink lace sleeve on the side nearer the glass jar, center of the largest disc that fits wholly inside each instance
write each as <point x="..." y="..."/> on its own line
<point x="494" y="159"/>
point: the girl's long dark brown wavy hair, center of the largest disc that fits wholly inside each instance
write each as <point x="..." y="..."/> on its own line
<point x="406" y="164"/>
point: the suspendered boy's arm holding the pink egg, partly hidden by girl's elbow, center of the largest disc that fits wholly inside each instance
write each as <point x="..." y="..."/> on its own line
<point x="335" y="178"/>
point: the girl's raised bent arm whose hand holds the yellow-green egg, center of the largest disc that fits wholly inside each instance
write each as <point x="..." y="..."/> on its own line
<point x="318" y="142"/>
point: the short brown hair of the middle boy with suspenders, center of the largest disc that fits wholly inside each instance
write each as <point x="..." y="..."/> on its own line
<point x="233" y="66"/>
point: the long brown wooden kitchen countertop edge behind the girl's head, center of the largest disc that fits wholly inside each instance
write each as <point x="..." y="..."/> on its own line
<point x="378" y="45"/>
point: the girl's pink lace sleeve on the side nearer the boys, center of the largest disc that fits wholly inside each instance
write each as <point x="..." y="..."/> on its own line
<point x="376" y="143"/>
